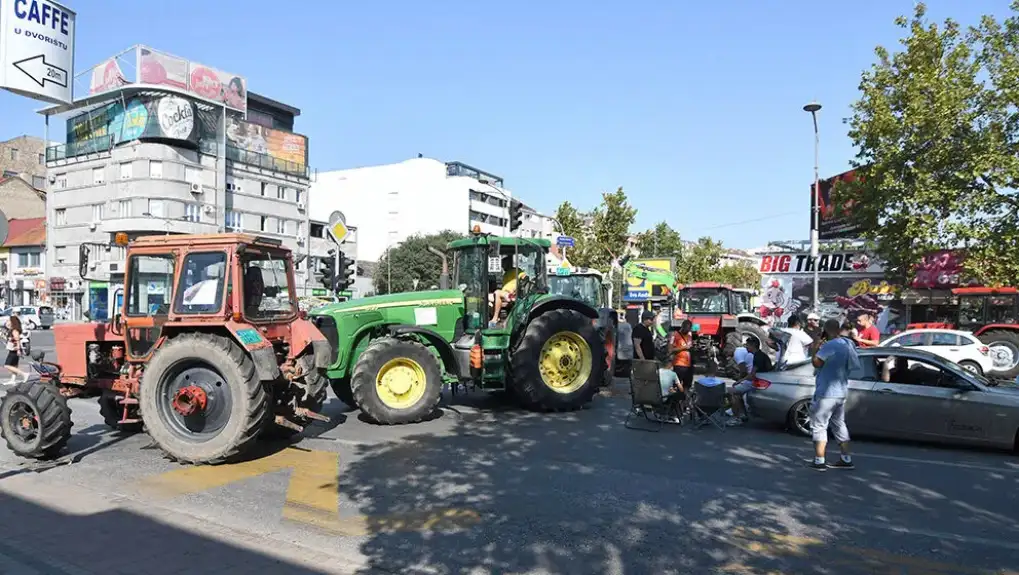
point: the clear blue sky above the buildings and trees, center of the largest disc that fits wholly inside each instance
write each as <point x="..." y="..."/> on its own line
<point x="695" y="109"/>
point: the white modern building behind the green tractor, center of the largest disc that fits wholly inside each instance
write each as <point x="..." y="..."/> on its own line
<point x="421" y="196"/>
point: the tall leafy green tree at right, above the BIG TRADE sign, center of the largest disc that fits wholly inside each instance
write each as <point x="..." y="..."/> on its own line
<point x="937" y="130"/>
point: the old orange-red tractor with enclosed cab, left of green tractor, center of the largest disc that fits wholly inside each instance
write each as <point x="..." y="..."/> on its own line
<point x="208" y="352"/>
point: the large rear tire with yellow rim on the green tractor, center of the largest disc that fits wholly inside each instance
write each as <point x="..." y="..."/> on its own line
<point x="569" y="329"/>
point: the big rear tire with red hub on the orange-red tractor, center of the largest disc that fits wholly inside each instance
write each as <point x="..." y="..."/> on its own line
<point x="242" y="410"/>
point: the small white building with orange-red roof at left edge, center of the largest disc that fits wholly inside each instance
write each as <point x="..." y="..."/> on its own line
<point x="23" y="264"/>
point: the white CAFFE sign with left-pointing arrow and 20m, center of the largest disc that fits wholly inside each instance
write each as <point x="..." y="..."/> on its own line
<point x="37" y="49"/>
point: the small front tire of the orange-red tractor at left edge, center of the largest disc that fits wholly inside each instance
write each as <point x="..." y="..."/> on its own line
<point x="51" y="427"/>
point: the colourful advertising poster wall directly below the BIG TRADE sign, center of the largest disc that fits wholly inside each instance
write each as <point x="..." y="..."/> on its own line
<point x="841" y="298"/>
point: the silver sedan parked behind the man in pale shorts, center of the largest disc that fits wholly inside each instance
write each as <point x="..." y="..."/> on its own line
<point x="900" y="393"/>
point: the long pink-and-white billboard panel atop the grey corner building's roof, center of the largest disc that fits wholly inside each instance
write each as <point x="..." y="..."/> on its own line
<point x="158" y="69"/>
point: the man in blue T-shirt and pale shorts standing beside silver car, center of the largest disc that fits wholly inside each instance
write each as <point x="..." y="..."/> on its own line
<point x="836" y="359"/>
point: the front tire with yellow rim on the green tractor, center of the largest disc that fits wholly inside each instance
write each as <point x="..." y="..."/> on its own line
<point x="390" y="353"/>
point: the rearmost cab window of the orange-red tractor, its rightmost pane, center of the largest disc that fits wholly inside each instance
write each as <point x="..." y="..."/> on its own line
<point x="266" y="287"/>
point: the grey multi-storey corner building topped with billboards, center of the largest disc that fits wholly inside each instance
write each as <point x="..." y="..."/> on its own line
<point x="162" y="153"/>
